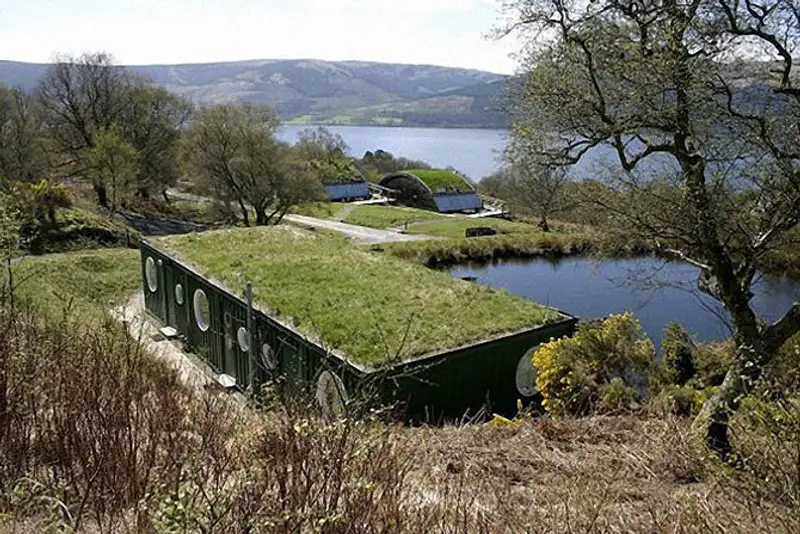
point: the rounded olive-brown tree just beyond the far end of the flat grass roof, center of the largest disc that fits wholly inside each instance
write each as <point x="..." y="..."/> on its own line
<point x="231" y="152"/>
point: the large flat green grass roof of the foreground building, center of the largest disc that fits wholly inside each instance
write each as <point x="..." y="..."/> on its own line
<point x="370" y="307"/>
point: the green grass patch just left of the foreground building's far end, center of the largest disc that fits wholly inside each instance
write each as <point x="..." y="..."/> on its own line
<point x="90" y="282"/>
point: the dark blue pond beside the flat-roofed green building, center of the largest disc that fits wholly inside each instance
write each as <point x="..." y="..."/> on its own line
<point x="656" y="291"/>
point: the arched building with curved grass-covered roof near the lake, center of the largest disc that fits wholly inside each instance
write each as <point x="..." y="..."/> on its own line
<point x="439" y="190"/>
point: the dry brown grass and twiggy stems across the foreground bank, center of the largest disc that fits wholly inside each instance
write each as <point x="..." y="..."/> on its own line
<point x="109" y="441"/>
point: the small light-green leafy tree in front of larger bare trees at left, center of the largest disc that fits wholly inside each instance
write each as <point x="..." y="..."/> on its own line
<point x="111" y="164"/>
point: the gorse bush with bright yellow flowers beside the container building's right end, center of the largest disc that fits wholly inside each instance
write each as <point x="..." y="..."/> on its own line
<point x="604" y="366"/>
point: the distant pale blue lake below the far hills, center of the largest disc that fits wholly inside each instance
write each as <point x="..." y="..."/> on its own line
<point x="474" y="152"/>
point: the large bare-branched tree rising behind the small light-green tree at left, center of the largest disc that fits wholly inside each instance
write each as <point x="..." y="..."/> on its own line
<point x="83" y="96"/>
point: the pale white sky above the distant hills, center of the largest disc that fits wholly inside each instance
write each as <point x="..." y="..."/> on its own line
<point x="438" y="32"/>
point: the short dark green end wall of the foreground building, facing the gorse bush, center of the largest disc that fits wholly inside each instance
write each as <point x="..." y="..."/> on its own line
<point x="464" y="381"/>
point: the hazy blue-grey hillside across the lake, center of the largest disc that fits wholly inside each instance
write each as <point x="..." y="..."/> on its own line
<point x="327" y="92"/>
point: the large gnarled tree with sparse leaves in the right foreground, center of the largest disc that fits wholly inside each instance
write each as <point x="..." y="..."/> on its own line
<point x="664" y="85"/>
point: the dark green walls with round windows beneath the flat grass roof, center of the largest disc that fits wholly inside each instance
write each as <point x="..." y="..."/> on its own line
<point x="212" y="320"/>
